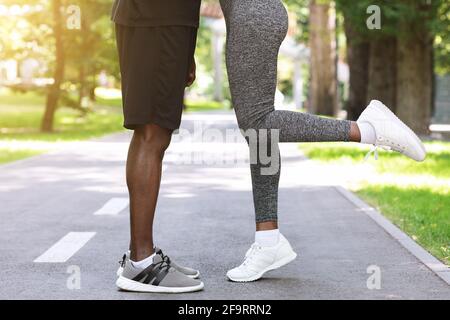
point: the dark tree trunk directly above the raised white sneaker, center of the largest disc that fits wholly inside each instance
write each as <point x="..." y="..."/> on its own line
<point x="382" y="71"/>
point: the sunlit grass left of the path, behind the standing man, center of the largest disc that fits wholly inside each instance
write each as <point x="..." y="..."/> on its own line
<point x="20" y="119"/>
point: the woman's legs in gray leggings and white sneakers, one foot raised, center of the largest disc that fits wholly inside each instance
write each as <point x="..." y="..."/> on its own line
<point x="255" y="30"/>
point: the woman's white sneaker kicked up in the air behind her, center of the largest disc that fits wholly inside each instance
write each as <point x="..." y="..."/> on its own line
<point x="391" y="132"/>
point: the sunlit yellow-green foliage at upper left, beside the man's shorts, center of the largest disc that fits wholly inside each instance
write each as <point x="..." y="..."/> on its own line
<point x="89" y="49"/>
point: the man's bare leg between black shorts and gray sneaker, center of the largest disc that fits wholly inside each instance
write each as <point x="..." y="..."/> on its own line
<point x="144" y="166"/>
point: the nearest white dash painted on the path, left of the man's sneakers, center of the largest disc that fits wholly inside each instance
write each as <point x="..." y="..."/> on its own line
<point x="66" y="247"/>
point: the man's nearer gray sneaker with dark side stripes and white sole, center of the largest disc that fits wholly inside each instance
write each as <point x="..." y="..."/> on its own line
<point x="159" y="277"/>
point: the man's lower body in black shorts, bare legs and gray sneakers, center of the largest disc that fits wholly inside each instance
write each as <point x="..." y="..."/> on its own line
<point x="154" y="64"/>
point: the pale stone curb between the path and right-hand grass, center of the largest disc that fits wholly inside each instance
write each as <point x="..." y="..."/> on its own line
<point x="435" y="265"/>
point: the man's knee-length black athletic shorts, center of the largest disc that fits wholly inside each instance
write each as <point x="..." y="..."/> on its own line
<point x="154" y="65"/>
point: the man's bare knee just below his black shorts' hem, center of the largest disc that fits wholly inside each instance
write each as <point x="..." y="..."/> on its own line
<point x="153" y="138"/>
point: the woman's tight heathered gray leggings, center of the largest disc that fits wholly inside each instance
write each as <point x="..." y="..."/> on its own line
<point x="255" y="30"/>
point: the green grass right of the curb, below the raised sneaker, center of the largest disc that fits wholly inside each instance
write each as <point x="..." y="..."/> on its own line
<point x="414" y="196"/>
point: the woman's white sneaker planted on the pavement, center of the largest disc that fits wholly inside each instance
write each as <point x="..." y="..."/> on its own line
<point x="259" y="260"/>
